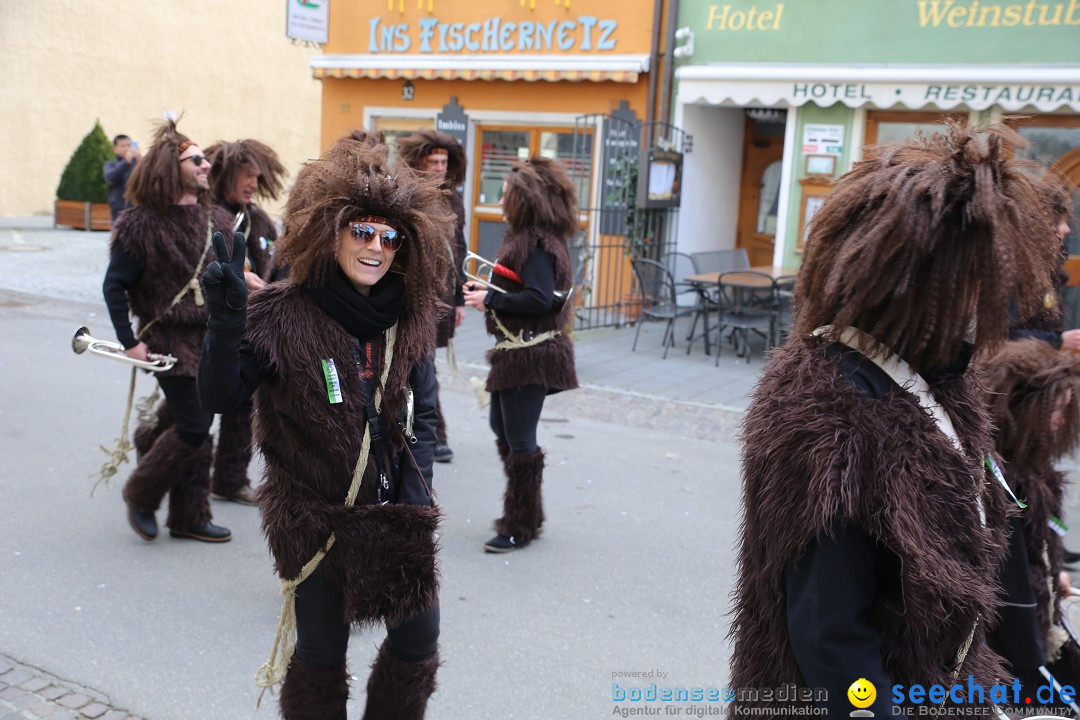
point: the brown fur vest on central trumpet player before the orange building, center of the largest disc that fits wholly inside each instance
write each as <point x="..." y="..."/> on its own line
<point x="551" y="363"/>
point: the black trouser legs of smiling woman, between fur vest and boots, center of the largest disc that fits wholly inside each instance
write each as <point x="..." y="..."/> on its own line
<point x="322" y="635"/>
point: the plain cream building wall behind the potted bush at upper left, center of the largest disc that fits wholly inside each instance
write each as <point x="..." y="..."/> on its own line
<point x="227" y="66"/>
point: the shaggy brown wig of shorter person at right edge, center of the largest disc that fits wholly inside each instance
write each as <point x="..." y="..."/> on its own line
<point x="1027" y="379"/>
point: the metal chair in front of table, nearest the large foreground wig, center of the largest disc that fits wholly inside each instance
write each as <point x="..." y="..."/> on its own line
<point x="748" y="304"/>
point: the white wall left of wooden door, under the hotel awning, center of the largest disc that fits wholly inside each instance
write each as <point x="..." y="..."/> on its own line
<point x="709" y="214"/>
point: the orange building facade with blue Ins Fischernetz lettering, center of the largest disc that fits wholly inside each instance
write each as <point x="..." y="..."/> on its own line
<point x="510" y="78"/>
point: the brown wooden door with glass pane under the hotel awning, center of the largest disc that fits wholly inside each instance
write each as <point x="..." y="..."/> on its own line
<point x="759" y="195"/>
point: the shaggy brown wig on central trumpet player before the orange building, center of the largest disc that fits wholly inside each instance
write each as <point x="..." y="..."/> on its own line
<point x="542" y="197"/>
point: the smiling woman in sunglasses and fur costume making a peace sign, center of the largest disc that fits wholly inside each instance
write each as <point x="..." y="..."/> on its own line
<point x="332" y="357"/>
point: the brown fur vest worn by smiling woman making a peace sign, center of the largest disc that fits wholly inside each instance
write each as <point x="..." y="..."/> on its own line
<point x="384" y="556"/>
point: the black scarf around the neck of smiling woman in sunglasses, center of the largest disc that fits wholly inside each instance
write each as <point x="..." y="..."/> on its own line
<point x="363" y="317"/>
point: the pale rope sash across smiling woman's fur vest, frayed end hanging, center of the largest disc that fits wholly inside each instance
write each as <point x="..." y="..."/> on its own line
<point x="285" y="645"/>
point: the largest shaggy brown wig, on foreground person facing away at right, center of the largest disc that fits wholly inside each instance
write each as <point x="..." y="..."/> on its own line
<point x="920" y="237"/>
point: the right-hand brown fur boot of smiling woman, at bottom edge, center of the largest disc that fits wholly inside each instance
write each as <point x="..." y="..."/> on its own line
<point x="399" y="690"/>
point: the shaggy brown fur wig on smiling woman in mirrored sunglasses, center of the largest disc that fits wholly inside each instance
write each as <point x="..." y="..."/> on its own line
<point x="353" y="180"/>
